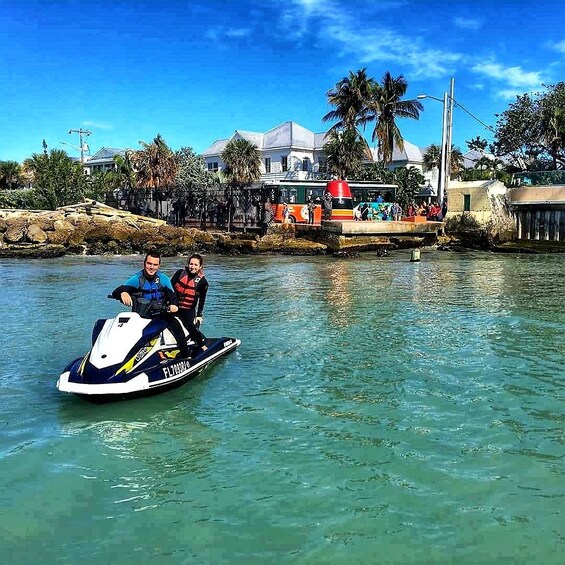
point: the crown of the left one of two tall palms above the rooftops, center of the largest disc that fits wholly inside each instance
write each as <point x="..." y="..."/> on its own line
<point x="351" y="97"/>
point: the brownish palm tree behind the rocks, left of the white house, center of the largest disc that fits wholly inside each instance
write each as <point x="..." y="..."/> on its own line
<point x="156" y="167"/>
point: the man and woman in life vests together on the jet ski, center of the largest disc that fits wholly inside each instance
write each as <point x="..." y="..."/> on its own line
<point x="176" y="300"/>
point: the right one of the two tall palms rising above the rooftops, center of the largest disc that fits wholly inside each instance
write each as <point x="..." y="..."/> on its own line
<point x="385" y="107"/>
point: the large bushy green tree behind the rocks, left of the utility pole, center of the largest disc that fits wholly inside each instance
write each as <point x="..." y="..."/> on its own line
<point x="57" y="179"/>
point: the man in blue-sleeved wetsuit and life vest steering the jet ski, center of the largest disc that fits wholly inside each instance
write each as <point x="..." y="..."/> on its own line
<point x="152" y="284"/>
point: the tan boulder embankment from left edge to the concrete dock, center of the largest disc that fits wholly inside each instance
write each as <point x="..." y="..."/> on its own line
<point x="92" y="228"/>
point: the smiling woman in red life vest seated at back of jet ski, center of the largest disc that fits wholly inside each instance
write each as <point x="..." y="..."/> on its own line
<point x="191" y="287"/>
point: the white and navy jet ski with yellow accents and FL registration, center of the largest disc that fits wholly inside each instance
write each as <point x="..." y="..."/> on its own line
<point x="135" y="355"/>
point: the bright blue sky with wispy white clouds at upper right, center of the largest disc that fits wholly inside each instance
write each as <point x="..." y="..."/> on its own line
<point x="197" y="70"/>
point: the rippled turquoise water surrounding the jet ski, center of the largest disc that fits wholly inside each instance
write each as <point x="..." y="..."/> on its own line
<point x="377" y="411"/>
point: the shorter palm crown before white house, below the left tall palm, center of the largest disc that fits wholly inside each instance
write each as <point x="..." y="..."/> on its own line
<point x="345" y="152"/>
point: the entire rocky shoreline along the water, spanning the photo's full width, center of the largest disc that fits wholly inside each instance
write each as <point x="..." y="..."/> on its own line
<point x="92" y="228"/>
